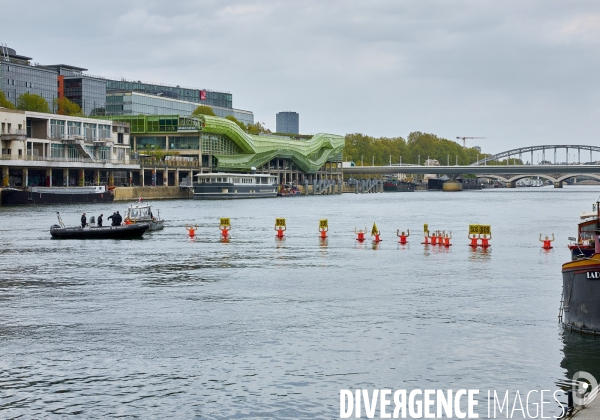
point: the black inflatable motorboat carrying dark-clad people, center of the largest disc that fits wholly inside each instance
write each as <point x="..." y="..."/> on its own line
<point x="60" y="231"/>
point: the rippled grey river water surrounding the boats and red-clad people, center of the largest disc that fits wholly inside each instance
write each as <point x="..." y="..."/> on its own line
<point x="167" y="326"/>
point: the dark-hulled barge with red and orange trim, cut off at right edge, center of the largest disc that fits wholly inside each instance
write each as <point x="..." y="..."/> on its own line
<point x="580" y="304"/>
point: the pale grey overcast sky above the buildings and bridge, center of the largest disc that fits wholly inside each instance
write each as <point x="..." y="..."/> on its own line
<point x="517" y="72"/>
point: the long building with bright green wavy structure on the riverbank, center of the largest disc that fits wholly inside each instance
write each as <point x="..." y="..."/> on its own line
<point x="183" y="146"/>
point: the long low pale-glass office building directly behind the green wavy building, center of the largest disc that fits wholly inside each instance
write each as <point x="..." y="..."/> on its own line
<point x="136" y="103"/>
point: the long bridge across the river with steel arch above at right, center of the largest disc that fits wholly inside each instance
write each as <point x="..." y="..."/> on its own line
<point x="510" y="174"/>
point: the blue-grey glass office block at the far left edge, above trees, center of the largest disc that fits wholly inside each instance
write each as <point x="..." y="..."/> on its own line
<point x="18" y="76"/>
